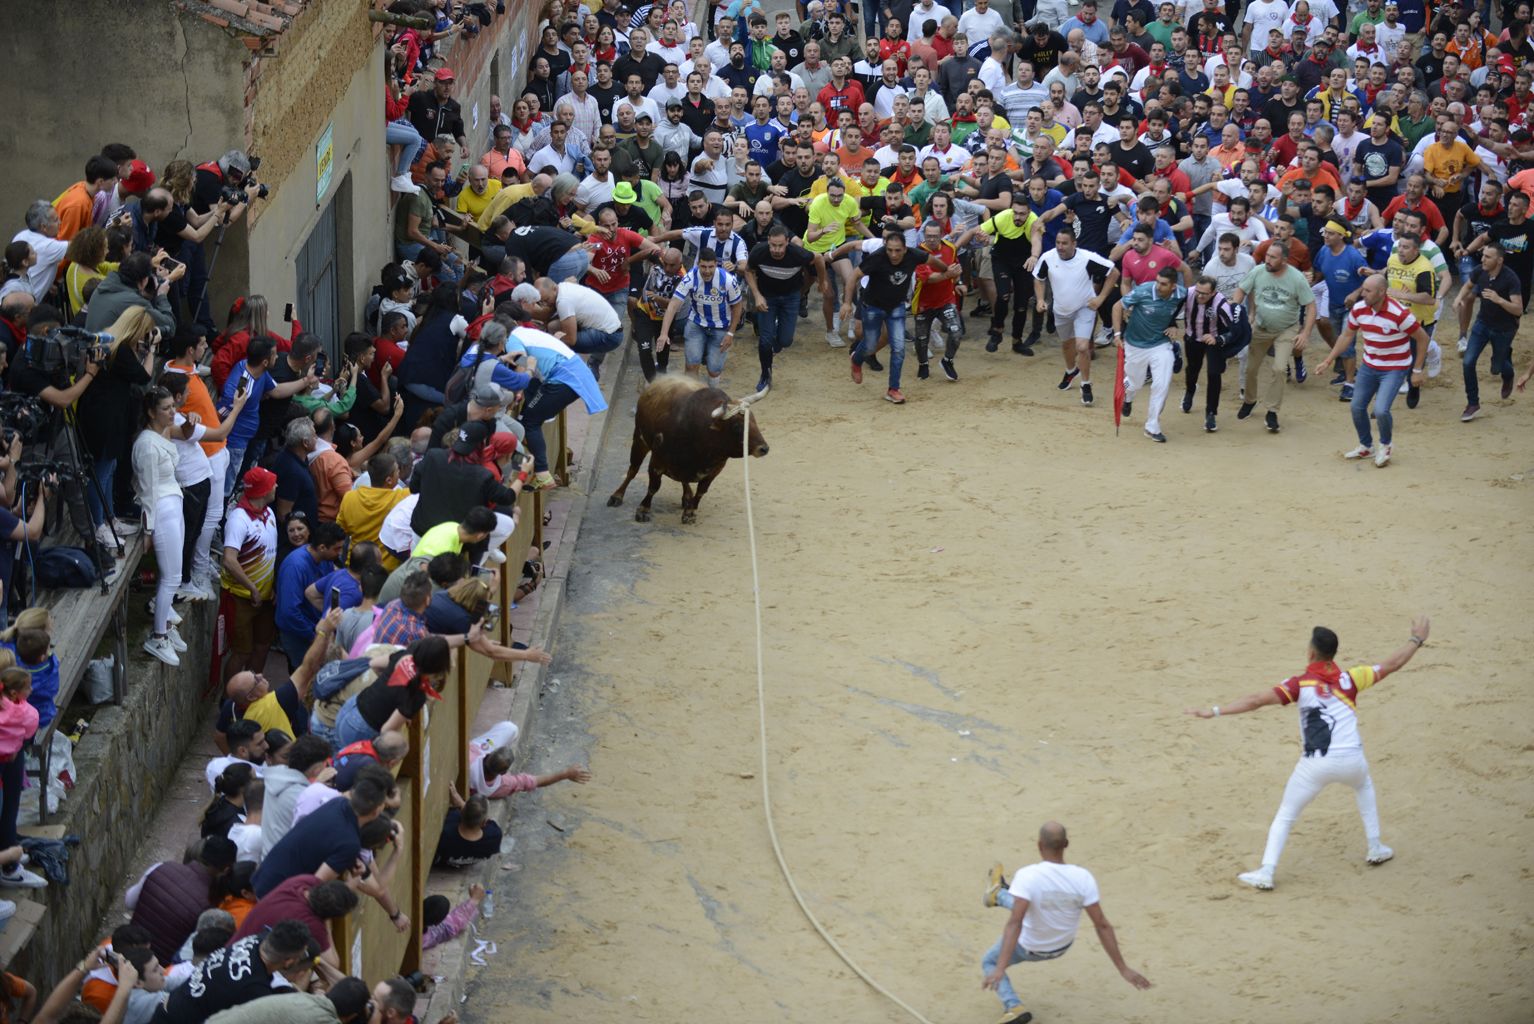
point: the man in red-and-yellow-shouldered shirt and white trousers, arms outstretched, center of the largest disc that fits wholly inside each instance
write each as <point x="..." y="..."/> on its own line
<point x="1334" y="750"/>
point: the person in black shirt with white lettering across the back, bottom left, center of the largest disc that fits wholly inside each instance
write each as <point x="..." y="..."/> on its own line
<point x="252" y="968"/>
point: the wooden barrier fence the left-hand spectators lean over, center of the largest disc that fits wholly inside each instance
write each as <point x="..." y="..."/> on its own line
<point x="367" y="942"/>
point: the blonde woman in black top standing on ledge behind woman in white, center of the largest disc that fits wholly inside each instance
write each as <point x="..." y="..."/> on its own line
<point x="105" y="413"/>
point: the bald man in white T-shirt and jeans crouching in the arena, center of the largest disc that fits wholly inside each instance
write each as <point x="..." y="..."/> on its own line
<point x="1047" y="902"/>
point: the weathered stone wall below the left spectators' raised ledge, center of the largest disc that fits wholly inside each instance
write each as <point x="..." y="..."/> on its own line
<point x="123" y="767"/>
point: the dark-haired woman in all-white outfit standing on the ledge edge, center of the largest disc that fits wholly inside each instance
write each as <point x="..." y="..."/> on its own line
<point x="156" y="459"/>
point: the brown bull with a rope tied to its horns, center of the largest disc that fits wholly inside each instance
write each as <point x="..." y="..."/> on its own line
<point x="690" y="432"/>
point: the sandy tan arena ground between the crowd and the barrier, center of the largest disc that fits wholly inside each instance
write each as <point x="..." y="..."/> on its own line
<point x="984" y="611"/>
